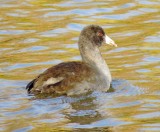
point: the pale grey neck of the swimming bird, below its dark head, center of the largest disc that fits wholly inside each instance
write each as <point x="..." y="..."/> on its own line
<point x="92" y="56"/>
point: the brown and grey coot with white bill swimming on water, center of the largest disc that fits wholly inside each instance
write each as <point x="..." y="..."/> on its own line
<point x="76" y="77"/>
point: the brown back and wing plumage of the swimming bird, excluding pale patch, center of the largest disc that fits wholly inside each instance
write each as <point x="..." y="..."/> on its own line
<point x="70" y="72"/>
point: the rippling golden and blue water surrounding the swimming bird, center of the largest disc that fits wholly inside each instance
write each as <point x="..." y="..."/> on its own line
<point x="35" y="35"/>
